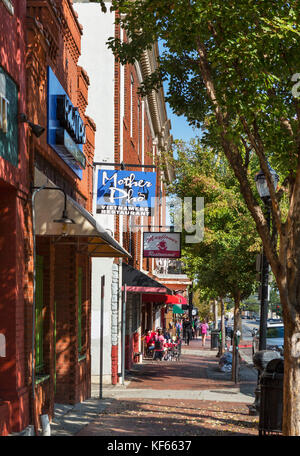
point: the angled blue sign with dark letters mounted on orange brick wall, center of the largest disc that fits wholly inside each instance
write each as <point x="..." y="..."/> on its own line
<point x="66" y="130"/>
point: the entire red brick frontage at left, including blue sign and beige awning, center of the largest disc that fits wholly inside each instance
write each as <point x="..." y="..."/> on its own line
<point x="50" y="235"/>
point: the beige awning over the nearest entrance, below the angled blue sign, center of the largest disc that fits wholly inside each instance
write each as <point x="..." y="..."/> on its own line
<point x="91" y="236"/>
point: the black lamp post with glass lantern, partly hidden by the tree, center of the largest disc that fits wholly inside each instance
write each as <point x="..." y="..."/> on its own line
<point x="264" y="193"/>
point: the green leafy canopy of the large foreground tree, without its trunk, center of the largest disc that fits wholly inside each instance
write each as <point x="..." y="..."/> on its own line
<point x="252" y="52"/>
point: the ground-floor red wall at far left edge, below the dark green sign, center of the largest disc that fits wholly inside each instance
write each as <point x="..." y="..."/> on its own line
<point x="13" y="388"/>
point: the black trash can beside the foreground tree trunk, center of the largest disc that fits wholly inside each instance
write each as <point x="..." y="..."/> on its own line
<point x="271" y="400"/>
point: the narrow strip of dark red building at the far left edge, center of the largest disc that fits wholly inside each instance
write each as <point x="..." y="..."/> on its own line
<point x="14" y="191"/>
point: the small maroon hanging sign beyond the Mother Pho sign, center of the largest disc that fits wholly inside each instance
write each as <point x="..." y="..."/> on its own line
<point x="162" y="245"/>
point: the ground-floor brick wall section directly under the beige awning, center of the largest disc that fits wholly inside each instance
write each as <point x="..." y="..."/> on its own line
<point x="72" y="367"/>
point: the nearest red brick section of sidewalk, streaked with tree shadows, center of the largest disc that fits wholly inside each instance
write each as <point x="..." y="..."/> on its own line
<point x="148" y="417"/>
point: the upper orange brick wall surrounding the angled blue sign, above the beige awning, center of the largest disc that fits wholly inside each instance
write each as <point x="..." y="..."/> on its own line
<point x="61" y="52"/>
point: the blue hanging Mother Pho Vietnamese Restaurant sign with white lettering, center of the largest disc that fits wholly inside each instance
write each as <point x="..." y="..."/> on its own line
<point x="125" y="192"/>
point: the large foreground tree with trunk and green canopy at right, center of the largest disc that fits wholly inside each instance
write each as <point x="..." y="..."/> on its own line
<point x="233" y="68"/>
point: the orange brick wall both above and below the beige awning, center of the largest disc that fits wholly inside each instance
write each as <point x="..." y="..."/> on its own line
<point x="54" y="39"/>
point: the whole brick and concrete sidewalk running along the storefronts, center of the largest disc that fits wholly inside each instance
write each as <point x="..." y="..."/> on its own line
<point x="189" y="397"/>
